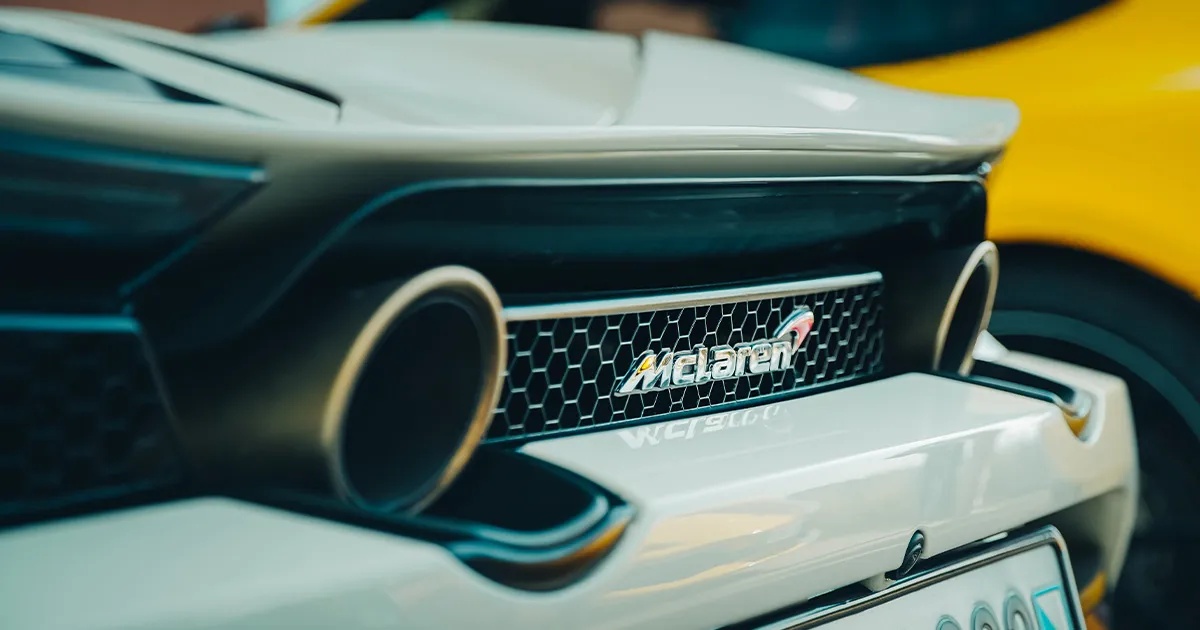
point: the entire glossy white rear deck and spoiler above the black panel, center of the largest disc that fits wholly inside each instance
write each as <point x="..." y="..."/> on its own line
<point x="505" y="95"/>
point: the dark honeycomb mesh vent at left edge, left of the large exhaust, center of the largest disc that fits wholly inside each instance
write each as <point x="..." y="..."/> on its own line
<point x="81" y="419"/>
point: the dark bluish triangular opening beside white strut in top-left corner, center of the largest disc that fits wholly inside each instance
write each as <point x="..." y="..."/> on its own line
<point x="27" y="57"/>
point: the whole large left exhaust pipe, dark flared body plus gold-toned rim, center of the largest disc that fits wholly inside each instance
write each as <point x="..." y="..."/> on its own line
<point x="379" y="399"/>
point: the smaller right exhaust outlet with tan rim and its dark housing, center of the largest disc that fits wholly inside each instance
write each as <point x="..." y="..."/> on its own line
<point x="938" y="307"/>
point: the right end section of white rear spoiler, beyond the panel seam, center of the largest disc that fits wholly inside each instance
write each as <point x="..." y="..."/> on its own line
<point x="687" y="81"/>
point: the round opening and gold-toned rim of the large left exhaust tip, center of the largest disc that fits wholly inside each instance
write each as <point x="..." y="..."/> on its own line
<point x="417" y="392"/>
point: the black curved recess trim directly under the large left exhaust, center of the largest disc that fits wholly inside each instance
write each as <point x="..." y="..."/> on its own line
<point x="514" y="519"/>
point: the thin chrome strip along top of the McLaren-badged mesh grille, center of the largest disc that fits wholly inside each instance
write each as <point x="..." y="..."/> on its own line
<point x="681" y="301"/>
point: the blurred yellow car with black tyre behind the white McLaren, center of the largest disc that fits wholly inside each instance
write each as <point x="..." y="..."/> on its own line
<point x="1094" y="205"/>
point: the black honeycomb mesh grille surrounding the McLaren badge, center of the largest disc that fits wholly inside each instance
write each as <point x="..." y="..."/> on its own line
<point x="562" y="373"/>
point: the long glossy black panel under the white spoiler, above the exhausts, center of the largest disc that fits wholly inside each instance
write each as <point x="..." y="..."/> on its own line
<point x="549" y="237"/>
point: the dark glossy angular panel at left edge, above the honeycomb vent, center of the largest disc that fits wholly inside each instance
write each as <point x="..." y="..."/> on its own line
<point x="86" y="223"/>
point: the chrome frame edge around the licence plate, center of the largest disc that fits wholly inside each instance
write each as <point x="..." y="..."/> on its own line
<point x="993" y="554"/>
